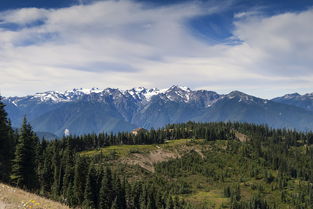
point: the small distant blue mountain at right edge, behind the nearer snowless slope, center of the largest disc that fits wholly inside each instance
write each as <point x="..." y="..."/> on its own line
<point x="304" y="101"/>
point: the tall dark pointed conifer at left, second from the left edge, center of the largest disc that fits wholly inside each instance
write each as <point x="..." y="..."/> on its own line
<point x="24" y="168"/>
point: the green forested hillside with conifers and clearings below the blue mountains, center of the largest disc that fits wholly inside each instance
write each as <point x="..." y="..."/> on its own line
<point x="199" y="165"/>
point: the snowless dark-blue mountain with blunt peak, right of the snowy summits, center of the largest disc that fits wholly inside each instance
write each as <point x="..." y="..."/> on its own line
<point x="237" y="106"/>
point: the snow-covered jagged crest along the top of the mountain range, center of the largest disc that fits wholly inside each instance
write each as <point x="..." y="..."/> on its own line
<point x="174" y="93"/>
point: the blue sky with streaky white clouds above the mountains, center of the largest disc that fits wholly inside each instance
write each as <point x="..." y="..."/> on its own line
<point x="261" y="47"/>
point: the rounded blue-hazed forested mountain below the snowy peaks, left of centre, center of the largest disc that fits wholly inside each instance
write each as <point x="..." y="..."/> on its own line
<point x="82" y="117"/>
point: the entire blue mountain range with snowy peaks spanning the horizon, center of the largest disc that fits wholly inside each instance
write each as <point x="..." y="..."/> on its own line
<point x="82" y="111"/>
